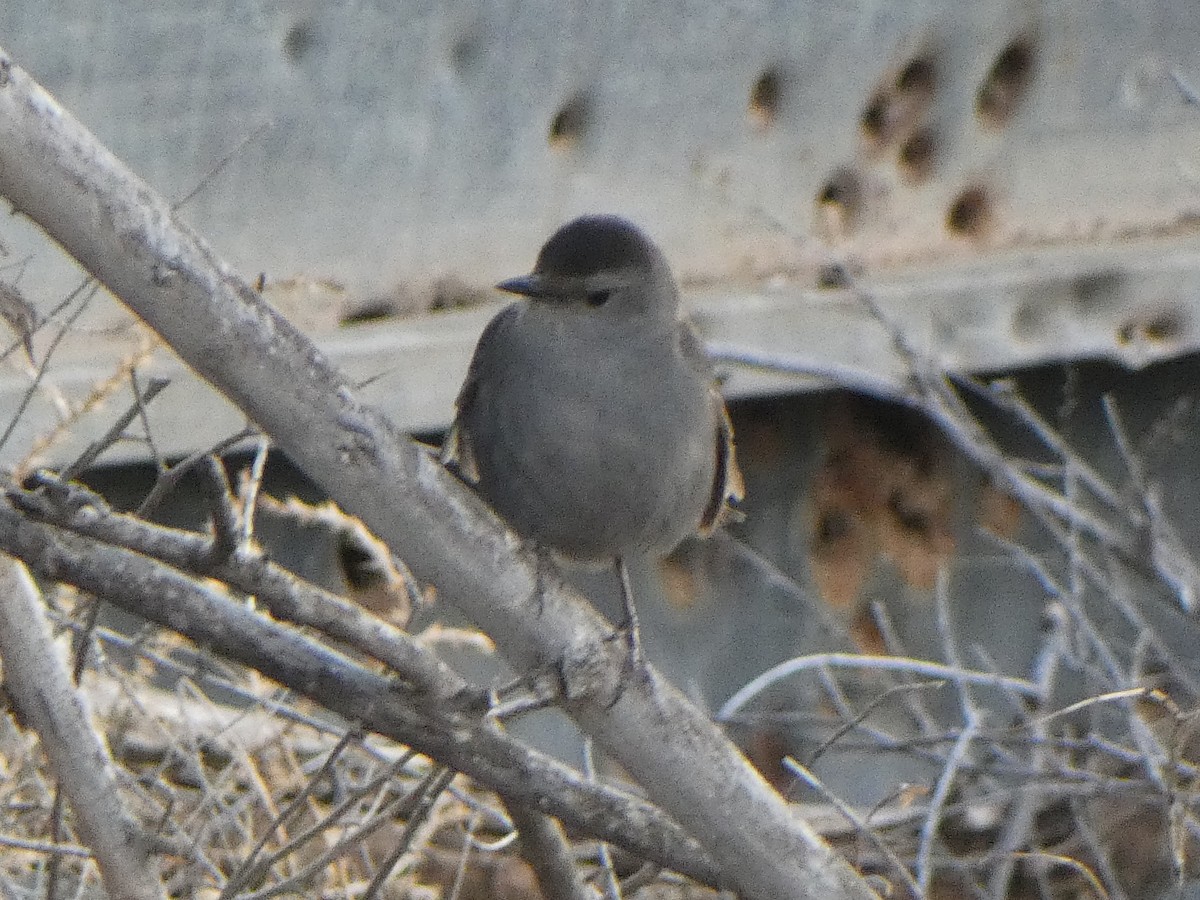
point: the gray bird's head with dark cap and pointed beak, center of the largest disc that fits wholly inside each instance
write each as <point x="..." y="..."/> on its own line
<point x="595" y="259"/>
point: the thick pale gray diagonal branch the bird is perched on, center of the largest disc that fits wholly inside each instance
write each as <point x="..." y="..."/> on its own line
<point x="57" y="173"/>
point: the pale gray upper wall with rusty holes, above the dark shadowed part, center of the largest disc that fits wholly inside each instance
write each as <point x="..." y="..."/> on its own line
<point x="400" y="157"/>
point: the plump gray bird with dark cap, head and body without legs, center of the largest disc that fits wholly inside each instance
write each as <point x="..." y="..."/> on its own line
<point x="590" y="421"/>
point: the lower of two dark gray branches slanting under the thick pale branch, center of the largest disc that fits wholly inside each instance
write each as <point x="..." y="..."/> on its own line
<point x="460" y="740"/>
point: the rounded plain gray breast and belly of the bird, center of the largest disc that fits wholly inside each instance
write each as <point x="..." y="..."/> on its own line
<point x="601" y="445"/>
